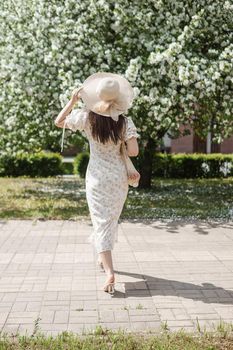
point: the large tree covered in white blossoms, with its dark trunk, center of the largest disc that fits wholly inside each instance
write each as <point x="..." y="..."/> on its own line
<point x="178" y="55"/>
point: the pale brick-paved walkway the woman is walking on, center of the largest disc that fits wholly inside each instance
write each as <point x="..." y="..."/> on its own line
<point x="170" y="273"/>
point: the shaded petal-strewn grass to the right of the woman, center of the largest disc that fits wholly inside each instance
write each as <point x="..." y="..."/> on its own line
<point x="182" y="199"/>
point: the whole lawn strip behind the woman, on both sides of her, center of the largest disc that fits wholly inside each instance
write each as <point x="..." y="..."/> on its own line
<point x="65" y="198"/>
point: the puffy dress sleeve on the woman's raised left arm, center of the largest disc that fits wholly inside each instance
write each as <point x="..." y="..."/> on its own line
<point x="76" y="120"/>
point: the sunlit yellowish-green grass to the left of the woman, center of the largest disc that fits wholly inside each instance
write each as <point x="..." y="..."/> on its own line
<point x="43" y="198"/>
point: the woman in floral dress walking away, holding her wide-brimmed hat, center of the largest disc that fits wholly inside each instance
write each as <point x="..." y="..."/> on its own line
<point x="106" y="97"/>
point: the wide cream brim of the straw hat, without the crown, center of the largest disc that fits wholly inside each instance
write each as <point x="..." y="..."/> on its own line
<point x="90" y="97"/>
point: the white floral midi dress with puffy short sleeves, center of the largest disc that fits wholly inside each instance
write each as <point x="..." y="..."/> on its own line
<point x="105" y="181"/>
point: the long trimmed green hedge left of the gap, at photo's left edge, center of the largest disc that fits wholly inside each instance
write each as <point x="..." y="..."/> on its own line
<point x="39" y="164"/>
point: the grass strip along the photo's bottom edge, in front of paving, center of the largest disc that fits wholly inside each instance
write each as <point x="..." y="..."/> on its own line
<point x="101" y="338"/>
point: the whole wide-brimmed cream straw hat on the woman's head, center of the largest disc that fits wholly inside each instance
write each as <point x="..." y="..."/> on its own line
<point x="107" y="94"/>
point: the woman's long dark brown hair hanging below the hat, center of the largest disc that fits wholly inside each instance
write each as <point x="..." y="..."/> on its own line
<point x="105" y="128"/>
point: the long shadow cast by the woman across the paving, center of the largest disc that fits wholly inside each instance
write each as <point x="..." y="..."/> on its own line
<point x="149" y="286"/>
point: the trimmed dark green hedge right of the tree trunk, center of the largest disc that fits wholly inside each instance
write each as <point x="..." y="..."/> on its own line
<point x="195" y="165"/>
